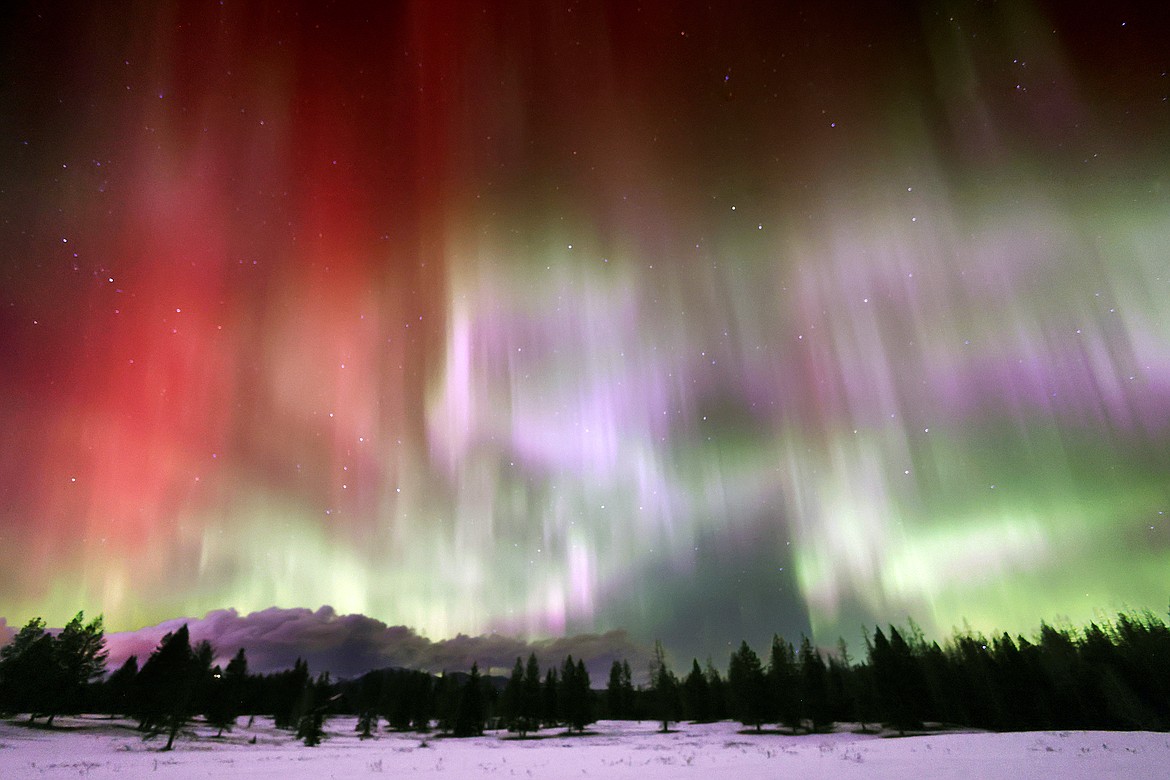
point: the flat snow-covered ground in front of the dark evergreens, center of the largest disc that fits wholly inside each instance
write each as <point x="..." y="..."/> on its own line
<point x="94" y="748"/>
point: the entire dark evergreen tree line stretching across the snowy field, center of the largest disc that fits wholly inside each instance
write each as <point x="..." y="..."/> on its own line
<point x="1110" y="675"/>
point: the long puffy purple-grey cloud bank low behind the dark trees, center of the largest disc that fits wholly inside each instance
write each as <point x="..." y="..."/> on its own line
<point x="348" y="646"/>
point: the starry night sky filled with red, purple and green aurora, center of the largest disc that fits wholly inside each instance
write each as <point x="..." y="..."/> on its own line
<point x="543" y="319"/>
